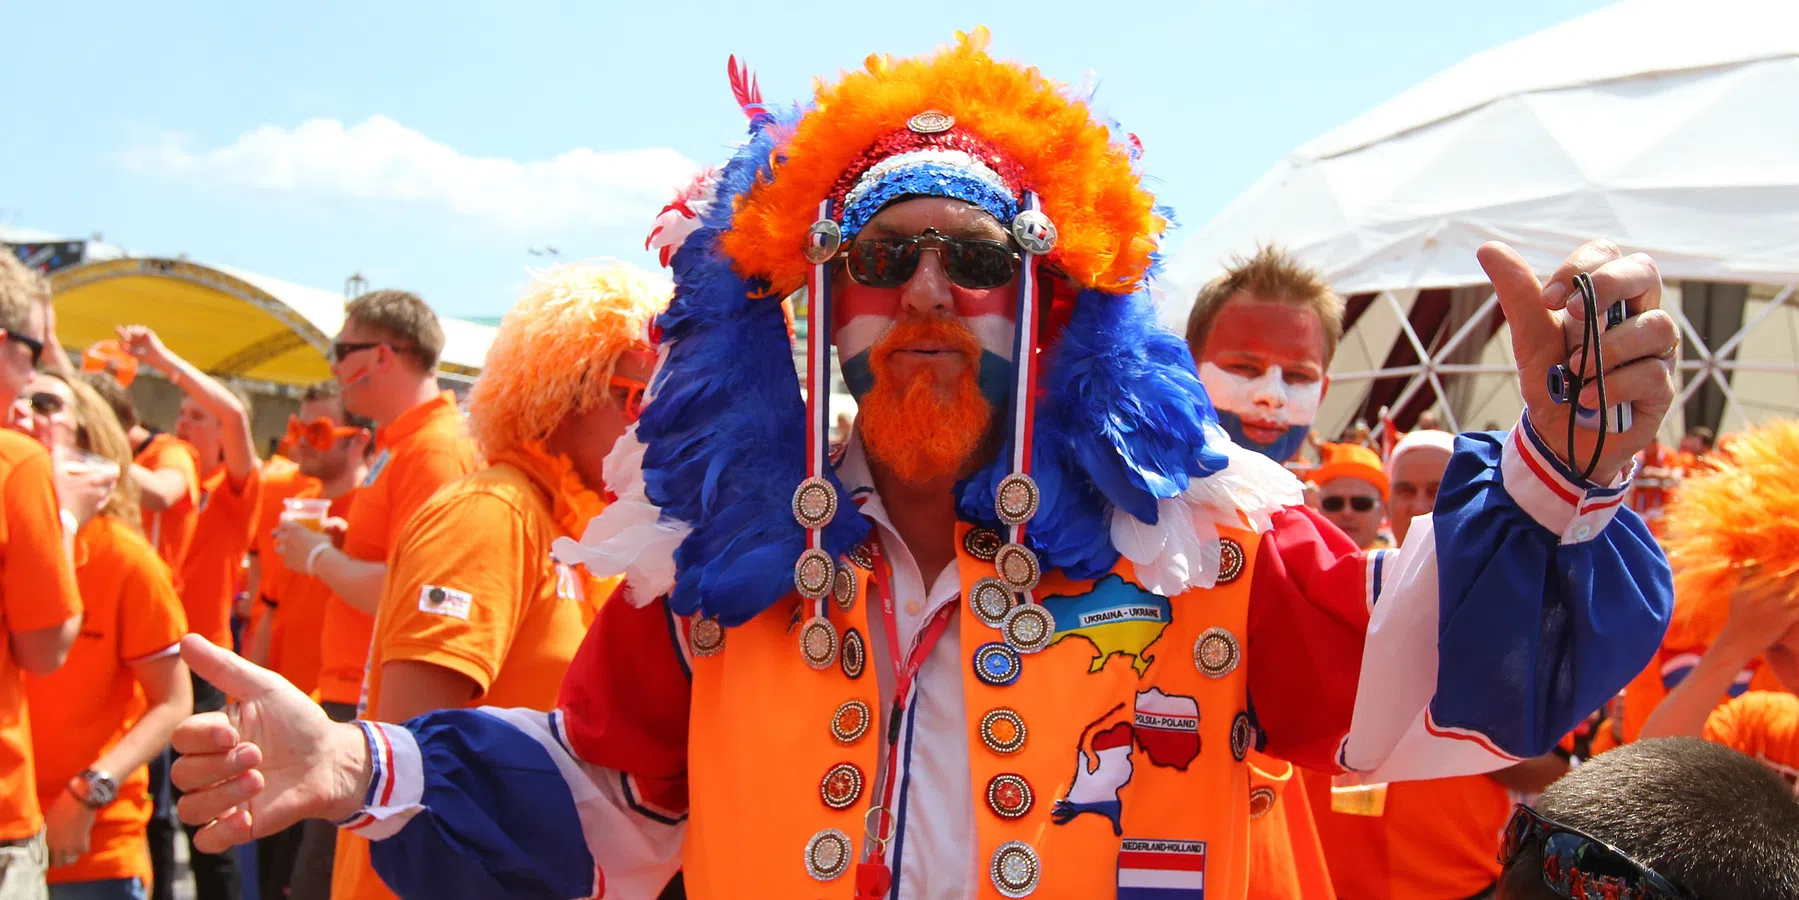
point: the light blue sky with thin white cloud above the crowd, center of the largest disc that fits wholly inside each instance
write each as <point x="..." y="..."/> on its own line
<point x="433" y="147"/>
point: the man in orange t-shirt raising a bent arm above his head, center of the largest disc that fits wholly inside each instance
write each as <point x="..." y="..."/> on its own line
<point x="217" y="422"/>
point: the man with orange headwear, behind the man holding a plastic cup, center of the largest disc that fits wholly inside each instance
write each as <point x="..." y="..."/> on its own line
<point x="332" y="453"/>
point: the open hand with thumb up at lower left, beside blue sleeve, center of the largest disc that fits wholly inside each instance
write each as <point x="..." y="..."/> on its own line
<point x="282" y="762"/>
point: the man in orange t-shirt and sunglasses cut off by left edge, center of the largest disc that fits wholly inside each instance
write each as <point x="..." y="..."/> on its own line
<point x="40" y="607"/>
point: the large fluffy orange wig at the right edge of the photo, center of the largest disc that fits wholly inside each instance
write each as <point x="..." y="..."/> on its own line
<point x="1742" y="508"/>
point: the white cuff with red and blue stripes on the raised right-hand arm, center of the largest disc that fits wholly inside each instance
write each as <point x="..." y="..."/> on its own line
<point x="1552" y="494"/>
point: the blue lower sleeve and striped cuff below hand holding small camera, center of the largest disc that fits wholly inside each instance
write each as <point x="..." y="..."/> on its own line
<point x="1552" y="595"/>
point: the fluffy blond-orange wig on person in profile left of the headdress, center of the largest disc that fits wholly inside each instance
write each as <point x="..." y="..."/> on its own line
<point x="562" y="339"/>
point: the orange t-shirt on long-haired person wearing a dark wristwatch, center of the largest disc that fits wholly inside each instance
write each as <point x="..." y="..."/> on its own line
<point x="84" y="708"/>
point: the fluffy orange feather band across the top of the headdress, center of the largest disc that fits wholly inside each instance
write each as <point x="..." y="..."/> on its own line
<point x="1087" y="181"/>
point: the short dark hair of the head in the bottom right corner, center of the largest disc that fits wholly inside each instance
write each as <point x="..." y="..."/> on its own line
<point x="1703" y="816"/>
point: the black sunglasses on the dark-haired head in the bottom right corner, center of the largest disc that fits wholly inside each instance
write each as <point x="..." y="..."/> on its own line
<point x="1580" y="867"/>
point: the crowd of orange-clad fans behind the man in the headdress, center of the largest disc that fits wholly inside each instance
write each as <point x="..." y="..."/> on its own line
<point x="327" y="562"/>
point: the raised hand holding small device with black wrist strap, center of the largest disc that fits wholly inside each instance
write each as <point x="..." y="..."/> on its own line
<point x="1546" y="330"/>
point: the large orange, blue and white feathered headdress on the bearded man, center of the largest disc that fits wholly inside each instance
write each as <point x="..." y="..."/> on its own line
<point x="726" y="480"/>
